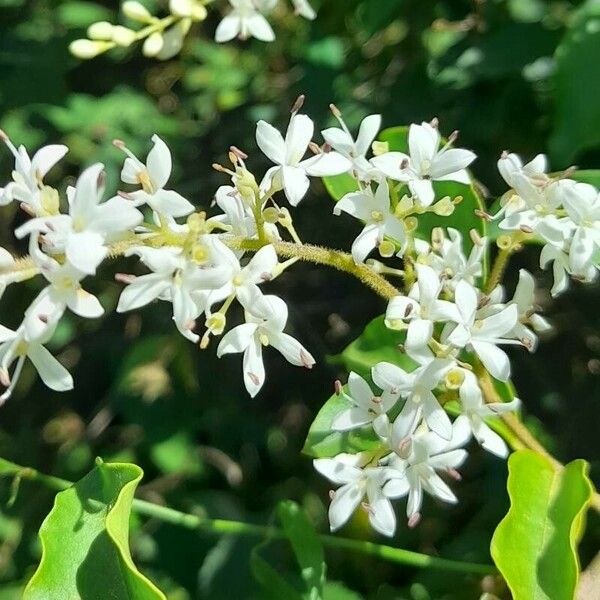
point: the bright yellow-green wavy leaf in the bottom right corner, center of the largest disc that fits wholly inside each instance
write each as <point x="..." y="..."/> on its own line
<point x="535" y="545"/>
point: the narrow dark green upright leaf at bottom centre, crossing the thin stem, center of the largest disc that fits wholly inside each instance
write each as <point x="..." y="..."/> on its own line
<point x="306" y="544"/>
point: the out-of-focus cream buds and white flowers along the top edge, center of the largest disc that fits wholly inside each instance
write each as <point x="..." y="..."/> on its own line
<point x="163" y="37"/>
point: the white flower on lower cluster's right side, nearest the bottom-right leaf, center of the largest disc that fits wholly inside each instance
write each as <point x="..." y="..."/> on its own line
<point x="475" y="410"/>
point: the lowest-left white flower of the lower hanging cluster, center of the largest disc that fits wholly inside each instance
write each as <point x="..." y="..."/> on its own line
<point x="356" y="483"/>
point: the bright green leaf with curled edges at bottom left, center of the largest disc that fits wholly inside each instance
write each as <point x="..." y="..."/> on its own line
<point x="85" y="551"/>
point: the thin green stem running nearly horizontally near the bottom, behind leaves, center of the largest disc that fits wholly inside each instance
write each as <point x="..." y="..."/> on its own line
<point x="227" y="527"/>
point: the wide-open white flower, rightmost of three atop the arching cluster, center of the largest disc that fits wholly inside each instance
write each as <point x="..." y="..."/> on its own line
<point x="426" y="163"/>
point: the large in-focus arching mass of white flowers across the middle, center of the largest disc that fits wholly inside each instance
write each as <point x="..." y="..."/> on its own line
<point x="455" y="319"/>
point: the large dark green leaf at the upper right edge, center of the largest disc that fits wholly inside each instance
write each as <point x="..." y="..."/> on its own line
<point x="577" y="86"/>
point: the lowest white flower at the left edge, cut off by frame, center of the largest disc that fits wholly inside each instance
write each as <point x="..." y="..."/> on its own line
<point x="15" y="345"/>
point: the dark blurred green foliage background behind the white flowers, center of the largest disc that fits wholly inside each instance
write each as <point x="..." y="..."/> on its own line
<point x="522" y="75"/>
